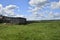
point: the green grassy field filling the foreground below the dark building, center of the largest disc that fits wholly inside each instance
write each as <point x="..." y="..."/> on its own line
<point x="33" y="31"/>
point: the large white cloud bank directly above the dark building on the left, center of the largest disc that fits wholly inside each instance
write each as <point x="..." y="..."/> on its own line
<point x="9" y="10"/>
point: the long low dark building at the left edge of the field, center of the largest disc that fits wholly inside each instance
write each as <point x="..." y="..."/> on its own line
<point x="12" y="20"/>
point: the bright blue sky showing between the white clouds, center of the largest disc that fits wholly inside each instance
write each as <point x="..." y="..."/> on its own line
<point x="24" y="7"/>
